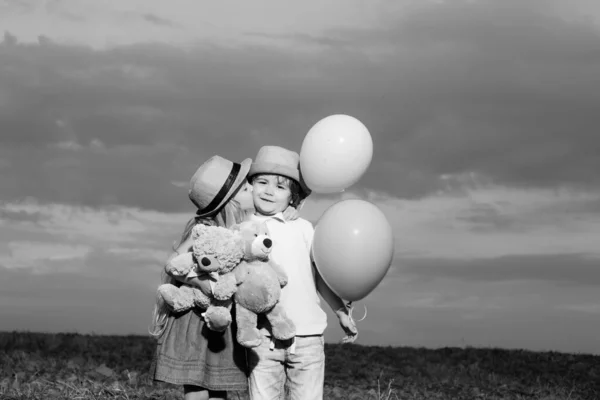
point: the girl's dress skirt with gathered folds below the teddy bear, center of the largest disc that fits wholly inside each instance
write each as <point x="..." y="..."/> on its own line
<point x="189" y="353"/>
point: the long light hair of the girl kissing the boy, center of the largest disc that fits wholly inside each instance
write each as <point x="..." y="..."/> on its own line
<point x="230" y="214"/>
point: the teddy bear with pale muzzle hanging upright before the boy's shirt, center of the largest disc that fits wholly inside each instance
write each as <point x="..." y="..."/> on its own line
<point x="259" y="283"/>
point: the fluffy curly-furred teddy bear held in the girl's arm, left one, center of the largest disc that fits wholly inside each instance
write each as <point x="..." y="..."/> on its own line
<point x="216" y="252"/>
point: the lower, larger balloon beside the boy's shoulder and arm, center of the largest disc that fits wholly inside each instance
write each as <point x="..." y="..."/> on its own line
<point x="353" y="247"/>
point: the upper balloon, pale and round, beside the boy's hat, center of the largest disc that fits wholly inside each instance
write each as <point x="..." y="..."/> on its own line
<point x="335" y="154"/>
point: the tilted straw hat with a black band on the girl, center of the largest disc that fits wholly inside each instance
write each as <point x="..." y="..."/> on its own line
<point x="215" y="182"/>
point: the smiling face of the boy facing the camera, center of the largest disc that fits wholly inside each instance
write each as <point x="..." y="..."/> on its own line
<point x="271" y="194"/>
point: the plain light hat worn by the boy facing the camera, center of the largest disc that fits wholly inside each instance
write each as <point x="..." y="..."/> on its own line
<point x="279" y="161"/>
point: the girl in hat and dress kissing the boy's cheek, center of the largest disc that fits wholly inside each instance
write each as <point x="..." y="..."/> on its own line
<point x="206" y="363"/>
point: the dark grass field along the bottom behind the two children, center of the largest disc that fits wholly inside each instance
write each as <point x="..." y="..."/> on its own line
<point x="73" y="366"/>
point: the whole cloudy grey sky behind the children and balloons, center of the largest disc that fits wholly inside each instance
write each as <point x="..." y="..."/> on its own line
<point x="484" y="116"/>
